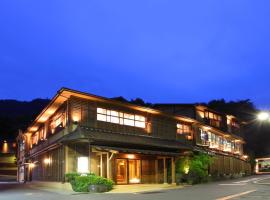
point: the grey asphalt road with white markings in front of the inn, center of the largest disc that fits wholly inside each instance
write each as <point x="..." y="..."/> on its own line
<point x="246" y="188"/>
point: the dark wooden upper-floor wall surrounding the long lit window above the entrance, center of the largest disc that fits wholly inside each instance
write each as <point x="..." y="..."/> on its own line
<point x="156" y="125"/>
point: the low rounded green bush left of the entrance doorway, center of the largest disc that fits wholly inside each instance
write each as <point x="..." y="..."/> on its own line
<point x="84" y="182"/>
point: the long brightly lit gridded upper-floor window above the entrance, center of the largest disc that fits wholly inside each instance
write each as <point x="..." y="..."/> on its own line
<point x="122" y="118"/>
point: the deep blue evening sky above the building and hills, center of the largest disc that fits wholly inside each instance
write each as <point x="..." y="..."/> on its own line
<point x="162" y="51"/>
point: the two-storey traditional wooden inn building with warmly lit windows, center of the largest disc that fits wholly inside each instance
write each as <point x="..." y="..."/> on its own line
<point x="80" y="132"/>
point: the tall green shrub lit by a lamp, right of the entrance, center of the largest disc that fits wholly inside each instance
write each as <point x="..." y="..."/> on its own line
<point x="193" y="169"/>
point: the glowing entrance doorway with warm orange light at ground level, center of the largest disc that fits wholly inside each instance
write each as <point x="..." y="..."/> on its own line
<point x="128" y="171"/>
